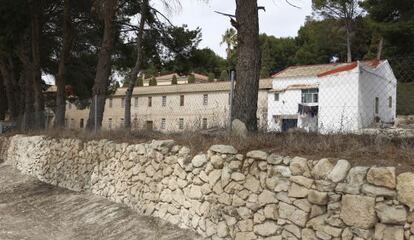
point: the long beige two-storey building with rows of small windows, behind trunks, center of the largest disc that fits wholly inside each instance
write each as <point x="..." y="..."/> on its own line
<point x="171" y="108"/>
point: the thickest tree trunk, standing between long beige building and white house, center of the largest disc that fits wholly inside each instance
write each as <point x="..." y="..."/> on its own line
<point x="248" y="63"/>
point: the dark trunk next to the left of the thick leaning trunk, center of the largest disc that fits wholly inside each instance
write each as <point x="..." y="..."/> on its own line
<point x="64" y="58"/>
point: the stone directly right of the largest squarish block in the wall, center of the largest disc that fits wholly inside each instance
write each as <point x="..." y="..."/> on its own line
<point x="391" y="214"/>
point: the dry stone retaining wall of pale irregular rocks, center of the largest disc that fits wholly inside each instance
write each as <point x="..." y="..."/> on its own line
<point x="225" y="195"/>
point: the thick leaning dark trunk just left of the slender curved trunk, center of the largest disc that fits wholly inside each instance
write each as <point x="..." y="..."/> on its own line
<point x="103" y="68"/>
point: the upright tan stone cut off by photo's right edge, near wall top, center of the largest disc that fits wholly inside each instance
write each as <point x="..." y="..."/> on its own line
<point x="405" y="189"/>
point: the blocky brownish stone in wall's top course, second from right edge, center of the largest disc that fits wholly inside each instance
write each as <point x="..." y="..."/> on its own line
<point x="382" y="176"/>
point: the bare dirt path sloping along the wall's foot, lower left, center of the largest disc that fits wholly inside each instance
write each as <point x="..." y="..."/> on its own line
<point x="32" y="210"/>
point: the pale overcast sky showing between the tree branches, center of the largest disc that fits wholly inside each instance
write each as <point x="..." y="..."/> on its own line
<point x="280" y="19"/>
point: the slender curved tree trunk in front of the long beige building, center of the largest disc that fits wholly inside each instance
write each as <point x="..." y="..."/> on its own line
<point x="132" y="76"/>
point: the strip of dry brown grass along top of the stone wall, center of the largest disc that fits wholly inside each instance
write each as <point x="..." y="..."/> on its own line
<point x="360" y="150"/>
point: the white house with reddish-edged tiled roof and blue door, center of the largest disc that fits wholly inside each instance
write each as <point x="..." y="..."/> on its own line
<point x="333" y="98"/>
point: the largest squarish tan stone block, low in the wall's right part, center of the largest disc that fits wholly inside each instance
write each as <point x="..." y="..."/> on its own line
<point x="358" y="211"/>
